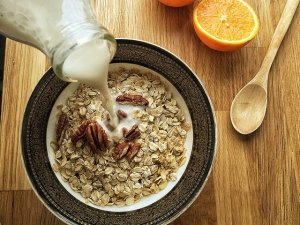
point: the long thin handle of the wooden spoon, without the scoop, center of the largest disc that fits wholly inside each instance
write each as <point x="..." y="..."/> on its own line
<point x="281" y="29"/>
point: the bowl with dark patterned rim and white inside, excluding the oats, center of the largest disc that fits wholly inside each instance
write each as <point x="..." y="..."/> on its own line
<point x="69" y="206"/>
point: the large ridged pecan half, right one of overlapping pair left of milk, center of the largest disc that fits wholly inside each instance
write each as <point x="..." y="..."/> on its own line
<point x="96" y="137"/>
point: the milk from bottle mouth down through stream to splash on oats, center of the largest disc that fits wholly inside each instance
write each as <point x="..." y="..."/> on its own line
<point x="89" y="64"/>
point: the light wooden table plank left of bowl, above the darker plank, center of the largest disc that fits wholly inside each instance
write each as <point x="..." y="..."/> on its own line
<point x="23" y="68"/>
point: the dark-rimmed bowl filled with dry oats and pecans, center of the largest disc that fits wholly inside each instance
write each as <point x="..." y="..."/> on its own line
<point x="147" y="170"/>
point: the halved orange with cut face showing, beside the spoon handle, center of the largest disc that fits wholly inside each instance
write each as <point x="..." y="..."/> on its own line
<point x="225" y="25"/>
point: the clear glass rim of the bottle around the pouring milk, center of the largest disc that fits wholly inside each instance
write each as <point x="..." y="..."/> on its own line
<point x="69" y="47"/>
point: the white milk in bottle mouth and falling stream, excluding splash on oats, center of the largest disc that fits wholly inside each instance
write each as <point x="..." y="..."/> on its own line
<point x="89" y="64"/>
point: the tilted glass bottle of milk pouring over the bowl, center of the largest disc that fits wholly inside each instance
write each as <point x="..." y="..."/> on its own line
<point x="65" y="30"/>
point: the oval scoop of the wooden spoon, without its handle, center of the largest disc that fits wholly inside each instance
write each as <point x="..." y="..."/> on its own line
<point x="248" y="108"/>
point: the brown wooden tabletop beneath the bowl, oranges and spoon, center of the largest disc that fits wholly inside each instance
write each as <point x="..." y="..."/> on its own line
<point x="256" y="178"/>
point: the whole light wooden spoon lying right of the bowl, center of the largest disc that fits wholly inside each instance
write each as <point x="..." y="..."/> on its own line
<point x="249" y="106"/>
